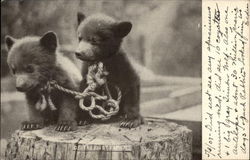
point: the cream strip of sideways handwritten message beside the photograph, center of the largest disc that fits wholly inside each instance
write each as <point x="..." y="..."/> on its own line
<point x="225" y="59"/>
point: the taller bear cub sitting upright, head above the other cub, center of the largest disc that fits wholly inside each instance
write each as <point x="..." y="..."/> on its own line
<point x="100" y="38"/>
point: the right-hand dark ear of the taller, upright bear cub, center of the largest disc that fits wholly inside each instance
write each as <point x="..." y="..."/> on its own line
<point x="122" y="29"/>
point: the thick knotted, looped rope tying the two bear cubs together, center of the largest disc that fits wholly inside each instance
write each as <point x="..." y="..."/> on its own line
<point x="96" y="77"/>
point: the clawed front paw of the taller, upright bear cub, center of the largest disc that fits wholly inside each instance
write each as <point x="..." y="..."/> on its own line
<point x="131" y="123"/>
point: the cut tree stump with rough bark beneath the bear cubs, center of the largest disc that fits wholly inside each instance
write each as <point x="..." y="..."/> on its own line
<point x="156" y="139"/>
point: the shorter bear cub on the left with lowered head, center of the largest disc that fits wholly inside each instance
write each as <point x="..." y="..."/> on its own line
<point x="34" y="61"/>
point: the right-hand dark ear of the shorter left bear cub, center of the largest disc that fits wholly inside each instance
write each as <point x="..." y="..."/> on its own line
<point x="49" y="41"/>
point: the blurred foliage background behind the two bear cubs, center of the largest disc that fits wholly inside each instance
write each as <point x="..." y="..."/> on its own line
<point x="166" y="34"/>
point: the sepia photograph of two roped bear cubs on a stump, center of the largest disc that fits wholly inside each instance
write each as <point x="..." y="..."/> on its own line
<point x="101" y="79"/>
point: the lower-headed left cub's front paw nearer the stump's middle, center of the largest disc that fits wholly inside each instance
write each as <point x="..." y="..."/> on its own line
<point x="66" y="125"/>
